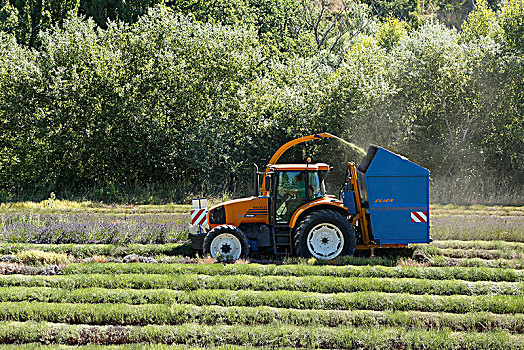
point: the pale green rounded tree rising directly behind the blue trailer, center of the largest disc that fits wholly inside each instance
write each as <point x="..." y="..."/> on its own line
<point x="441" y="106"/>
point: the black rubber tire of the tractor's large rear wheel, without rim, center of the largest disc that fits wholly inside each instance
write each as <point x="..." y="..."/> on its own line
<point x="324" y="216"/>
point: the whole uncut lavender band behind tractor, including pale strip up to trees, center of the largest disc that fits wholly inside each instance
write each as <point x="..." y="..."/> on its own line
<point x="66" y="222"/>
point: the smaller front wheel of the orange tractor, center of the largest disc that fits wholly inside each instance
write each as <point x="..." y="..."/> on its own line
<point x="226" y="242"/>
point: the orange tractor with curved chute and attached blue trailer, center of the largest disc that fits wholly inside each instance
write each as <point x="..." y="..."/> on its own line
<point x="383" y="203"/>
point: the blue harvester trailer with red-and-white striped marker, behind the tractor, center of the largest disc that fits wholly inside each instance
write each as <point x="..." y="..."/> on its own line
<point x="390" y="196"/>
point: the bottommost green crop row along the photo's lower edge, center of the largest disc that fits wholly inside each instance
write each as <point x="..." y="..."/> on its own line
<point x="271" y="335"/>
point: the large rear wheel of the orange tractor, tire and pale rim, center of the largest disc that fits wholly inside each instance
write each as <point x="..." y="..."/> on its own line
<point x="325" y="234"/>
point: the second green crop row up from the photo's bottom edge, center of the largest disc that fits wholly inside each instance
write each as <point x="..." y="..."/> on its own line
<point x="176" y="314"/>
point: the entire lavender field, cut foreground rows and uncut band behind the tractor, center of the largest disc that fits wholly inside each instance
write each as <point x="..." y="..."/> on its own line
<point x="99" y="276"/>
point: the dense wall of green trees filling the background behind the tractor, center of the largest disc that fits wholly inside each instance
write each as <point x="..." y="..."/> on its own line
<point x="175" y="98"/>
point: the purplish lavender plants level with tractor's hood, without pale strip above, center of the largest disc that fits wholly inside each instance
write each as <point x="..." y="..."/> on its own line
<point x="97" y="228"/>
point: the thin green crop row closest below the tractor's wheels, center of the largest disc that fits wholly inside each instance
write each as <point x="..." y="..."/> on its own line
<point x="434" y="273"/>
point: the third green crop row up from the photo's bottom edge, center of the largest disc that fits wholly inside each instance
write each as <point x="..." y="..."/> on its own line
<point x="279" y="299"/>
